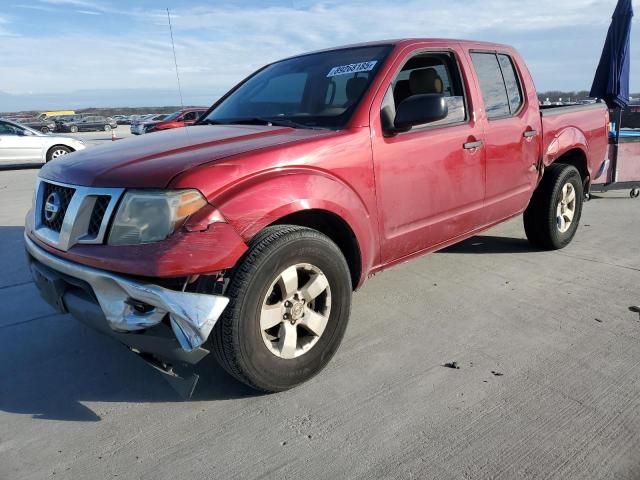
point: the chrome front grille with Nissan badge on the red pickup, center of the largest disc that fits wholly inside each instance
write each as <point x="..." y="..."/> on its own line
<point x="83" y="213"/>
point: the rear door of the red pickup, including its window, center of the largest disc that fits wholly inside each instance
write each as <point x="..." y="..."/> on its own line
<point x="511" y="134"/>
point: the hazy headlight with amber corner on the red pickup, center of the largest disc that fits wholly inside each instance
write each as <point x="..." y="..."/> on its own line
<point x="151" y="216"/>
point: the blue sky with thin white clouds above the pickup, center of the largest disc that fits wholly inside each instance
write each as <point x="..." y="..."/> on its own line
<point x="82" y="53"/>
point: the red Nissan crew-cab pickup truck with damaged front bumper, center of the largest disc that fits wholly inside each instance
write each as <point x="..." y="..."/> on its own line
<point x="246" y="234"/>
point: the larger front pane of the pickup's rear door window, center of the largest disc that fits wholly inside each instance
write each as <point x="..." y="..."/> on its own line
<point x="494" y="93"/>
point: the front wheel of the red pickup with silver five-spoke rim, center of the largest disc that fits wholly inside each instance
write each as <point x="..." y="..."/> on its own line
<point x="264" y="359"/>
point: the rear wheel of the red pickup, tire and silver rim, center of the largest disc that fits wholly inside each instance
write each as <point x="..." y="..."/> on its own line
<point x="550" y="221"/>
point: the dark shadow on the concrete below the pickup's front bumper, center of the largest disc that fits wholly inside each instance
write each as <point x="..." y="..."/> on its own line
<point x="51" y="365"/>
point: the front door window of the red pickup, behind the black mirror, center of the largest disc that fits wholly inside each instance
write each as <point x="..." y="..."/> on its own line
<point x="428" y="73"/>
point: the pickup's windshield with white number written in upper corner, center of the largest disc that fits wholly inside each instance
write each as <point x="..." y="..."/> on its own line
<point x="316" y="90"/>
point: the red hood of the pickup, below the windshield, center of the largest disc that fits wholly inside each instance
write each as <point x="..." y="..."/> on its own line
<point x="151" y="161"/>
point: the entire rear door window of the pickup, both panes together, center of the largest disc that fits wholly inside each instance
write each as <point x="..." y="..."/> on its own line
<point x="499" y="84"/>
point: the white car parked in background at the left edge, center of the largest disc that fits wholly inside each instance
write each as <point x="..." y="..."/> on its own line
<point x="20" y="145"/>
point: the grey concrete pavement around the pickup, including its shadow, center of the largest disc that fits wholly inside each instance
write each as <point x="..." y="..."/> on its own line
<point x="548" y="384"/>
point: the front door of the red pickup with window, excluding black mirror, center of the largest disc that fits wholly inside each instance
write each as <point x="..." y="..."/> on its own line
<point x="430" y="181"/>
